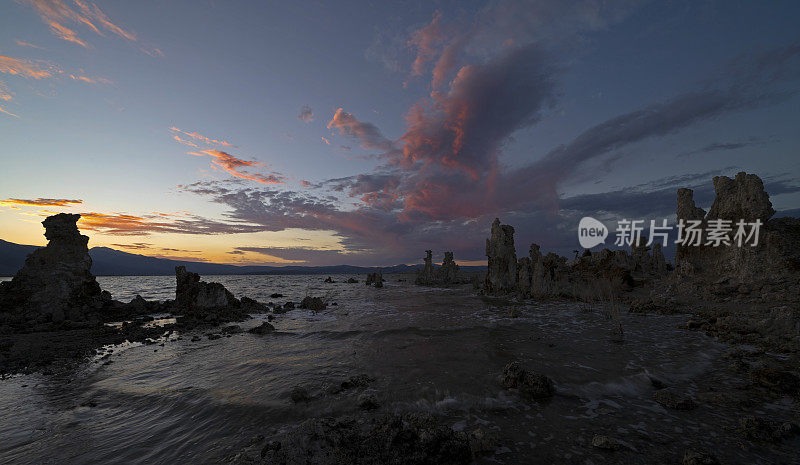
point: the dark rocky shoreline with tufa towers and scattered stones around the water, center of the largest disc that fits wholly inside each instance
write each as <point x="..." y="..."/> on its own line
<point x="54" y="310"/>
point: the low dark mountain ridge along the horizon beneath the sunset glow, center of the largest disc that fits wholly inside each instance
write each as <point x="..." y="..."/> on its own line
<point x="110" y="262"/>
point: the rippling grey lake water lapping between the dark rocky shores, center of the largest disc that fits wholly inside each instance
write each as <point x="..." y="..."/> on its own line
<point x="435" y="350"/>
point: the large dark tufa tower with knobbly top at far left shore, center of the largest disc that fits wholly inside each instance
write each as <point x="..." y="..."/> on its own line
<point x="56" y="282"/>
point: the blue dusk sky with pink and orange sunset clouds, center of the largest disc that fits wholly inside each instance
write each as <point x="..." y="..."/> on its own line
<point x="364" y="133"/>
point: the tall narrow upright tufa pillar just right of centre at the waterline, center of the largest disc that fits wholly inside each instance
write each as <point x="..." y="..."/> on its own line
<point x="501" y="275"/>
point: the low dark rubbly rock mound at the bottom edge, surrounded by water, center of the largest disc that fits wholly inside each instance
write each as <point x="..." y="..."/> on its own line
<point x="414" y="439"/>
